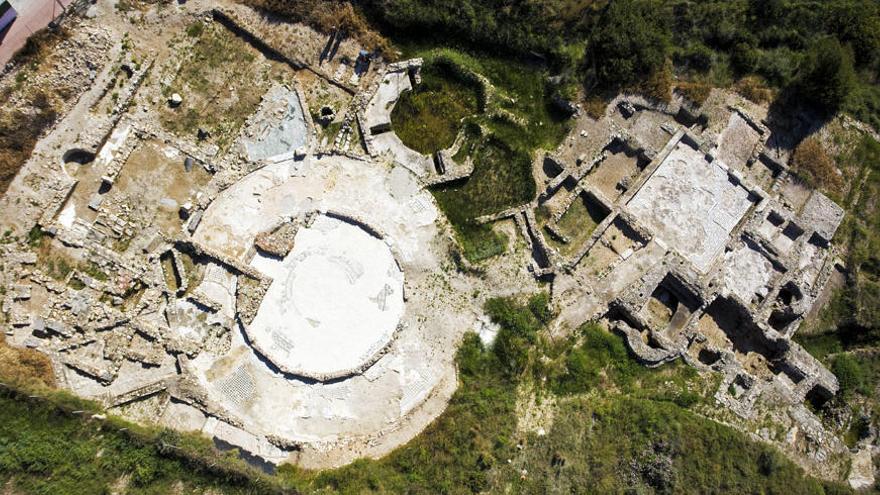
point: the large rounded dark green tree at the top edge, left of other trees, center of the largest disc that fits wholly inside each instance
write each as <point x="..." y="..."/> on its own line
<point x="629" y="43"/>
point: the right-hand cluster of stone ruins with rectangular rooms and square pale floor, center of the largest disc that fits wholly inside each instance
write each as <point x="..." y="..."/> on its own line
<point x="690" y="257"/>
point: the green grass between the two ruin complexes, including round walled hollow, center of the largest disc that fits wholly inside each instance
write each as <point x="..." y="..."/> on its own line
<point x="514" y="122"/>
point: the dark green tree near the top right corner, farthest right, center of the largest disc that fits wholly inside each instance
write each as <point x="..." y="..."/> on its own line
<point x="826" y="76"/>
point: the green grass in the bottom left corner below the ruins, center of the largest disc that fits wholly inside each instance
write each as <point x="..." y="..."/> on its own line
<point x="46" y="451"/>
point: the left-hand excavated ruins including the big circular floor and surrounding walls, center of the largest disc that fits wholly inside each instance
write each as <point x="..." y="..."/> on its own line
<point x="283" y="303"/>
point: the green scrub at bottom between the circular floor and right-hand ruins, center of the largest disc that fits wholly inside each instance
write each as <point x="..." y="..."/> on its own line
<point x="619" y="427"/>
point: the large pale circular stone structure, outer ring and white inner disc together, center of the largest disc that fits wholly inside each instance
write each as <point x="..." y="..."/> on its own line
<point x="376" y="213"/>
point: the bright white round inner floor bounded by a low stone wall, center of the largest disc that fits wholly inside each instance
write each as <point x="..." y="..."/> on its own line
<point x="334" y="303"/>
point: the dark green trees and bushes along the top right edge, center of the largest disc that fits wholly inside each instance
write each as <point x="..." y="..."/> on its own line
<point x="826" y="53"/>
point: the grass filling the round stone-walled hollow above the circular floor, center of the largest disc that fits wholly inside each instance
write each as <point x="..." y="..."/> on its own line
<point x="428" y="118"/>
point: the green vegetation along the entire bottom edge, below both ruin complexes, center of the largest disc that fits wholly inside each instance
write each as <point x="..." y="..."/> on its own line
<point x="618" y="427"/>
